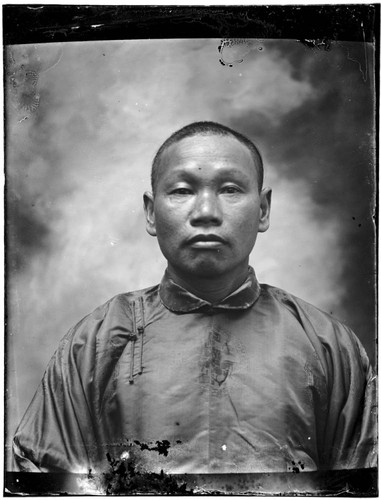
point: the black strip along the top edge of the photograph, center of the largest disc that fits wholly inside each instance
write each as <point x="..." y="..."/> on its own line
<point x="69" y="23"/>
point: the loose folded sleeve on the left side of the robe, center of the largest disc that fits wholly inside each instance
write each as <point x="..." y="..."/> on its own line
<point x="57" y="432"/>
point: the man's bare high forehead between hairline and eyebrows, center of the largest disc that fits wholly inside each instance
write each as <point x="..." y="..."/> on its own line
<point x="203" y="150"/>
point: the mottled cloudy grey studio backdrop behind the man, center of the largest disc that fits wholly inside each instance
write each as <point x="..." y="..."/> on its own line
<point x="83" y="121"/>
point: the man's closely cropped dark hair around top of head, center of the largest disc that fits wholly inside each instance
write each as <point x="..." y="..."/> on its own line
<point x="206" y="128"/>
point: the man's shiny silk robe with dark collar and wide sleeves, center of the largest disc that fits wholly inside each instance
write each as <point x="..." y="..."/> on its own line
<point x="259" y="382"/>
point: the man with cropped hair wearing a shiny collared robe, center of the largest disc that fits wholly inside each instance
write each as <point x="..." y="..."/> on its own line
<point x="208" y="371"/>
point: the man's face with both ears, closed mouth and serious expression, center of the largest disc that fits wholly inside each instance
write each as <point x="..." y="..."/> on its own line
<point x="207" y="210"/>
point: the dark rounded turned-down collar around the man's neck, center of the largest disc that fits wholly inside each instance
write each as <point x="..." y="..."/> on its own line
<point x="178" y="299"/>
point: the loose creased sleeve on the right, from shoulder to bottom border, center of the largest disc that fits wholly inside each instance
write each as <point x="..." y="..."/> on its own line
<point x="349" y="439"/>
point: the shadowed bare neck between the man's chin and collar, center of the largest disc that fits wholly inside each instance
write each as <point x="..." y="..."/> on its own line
<point x="211" y="289"/>
